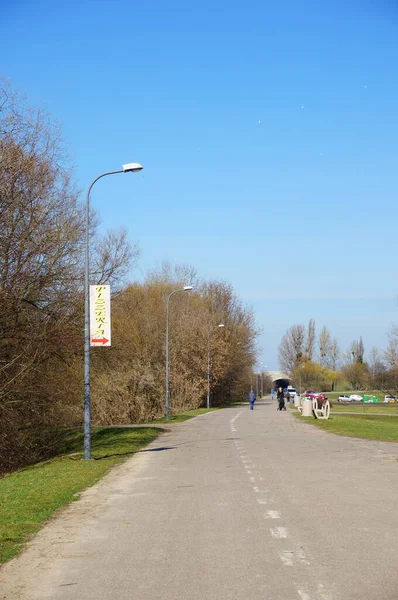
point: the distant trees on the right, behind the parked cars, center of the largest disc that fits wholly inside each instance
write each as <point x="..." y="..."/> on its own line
<point x="316" y="360"/>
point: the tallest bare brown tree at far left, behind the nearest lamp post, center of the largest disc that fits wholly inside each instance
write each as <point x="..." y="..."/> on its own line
<point x="41" y="272"/>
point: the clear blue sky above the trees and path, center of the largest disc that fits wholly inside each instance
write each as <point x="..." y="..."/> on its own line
<point x="268" y="134"/>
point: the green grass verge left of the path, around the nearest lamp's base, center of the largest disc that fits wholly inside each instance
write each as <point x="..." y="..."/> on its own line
<point x="30" y="496"/>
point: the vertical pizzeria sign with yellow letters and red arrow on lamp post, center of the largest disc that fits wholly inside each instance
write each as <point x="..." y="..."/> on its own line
<point x="100" y="315"/>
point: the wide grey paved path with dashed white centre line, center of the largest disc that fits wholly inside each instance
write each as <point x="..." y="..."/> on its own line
<point x="235" y="504"/>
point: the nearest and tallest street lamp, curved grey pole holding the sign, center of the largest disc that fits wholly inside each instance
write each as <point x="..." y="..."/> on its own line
<point x="128" y="168"/>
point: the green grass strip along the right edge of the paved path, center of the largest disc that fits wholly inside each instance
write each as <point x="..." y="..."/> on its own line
<point x="371" y="427"/>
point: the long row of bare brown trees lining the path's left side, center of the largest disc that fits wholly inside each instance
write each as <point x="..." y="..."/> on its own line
<point x="41" y="301"/>
